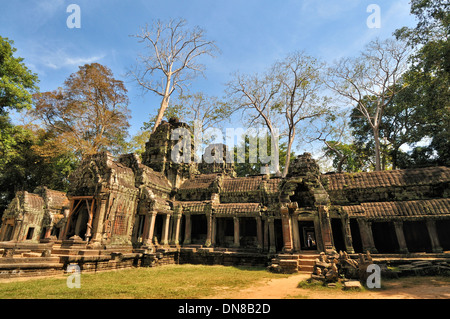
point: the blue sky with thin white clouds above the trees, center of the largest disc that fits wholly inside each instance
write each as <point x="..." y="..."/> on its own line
<point x="251" y="34"/>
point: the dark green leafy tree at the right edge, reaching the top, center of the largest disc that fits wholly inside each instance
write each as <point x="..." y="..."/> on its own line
<point x="429" y="82"/>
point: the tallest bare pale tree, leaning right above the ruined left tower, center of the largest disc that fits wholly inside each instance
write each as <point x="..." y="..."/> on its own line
<point x="172" y="60"/>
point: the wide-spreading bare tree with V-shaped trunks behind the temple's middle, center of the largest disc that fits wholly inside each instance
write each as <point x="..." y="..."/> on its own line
<point x="282" y="98"/>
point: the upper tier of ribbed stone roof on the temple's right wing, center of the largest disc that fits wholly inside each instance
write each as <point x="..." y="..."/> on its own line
<point x="405" y="177"/>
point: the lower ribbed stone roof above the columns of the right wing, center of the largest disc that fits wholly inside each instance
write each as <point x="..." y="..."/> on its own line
<point x="400" y="209"/>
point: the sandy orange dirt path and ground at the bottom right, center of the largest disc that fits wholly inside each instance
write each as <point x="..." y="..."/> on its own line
<point x="404" y="288"/>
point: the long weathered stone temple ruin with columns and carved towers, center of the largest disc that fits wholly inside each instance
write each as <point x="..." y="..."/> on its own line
<point x="124" y="212"/>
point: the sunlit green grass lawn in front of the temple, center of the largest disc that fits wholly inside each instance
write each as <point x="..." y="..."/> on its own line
<point x="167" y="282"/>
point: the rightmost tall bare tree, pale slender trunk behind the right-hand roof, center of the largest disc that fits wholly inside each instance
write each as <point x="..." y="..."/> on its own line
<point x="368" y="82"/>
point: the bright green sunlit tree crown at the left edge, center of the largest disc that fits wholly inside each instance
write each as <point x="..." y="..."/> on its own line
<point x="17" y="82"/>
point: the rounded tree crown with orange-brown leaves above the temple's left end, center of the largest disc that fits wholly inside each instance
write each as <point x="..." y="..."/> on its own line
<point x="89" y="114"/>
